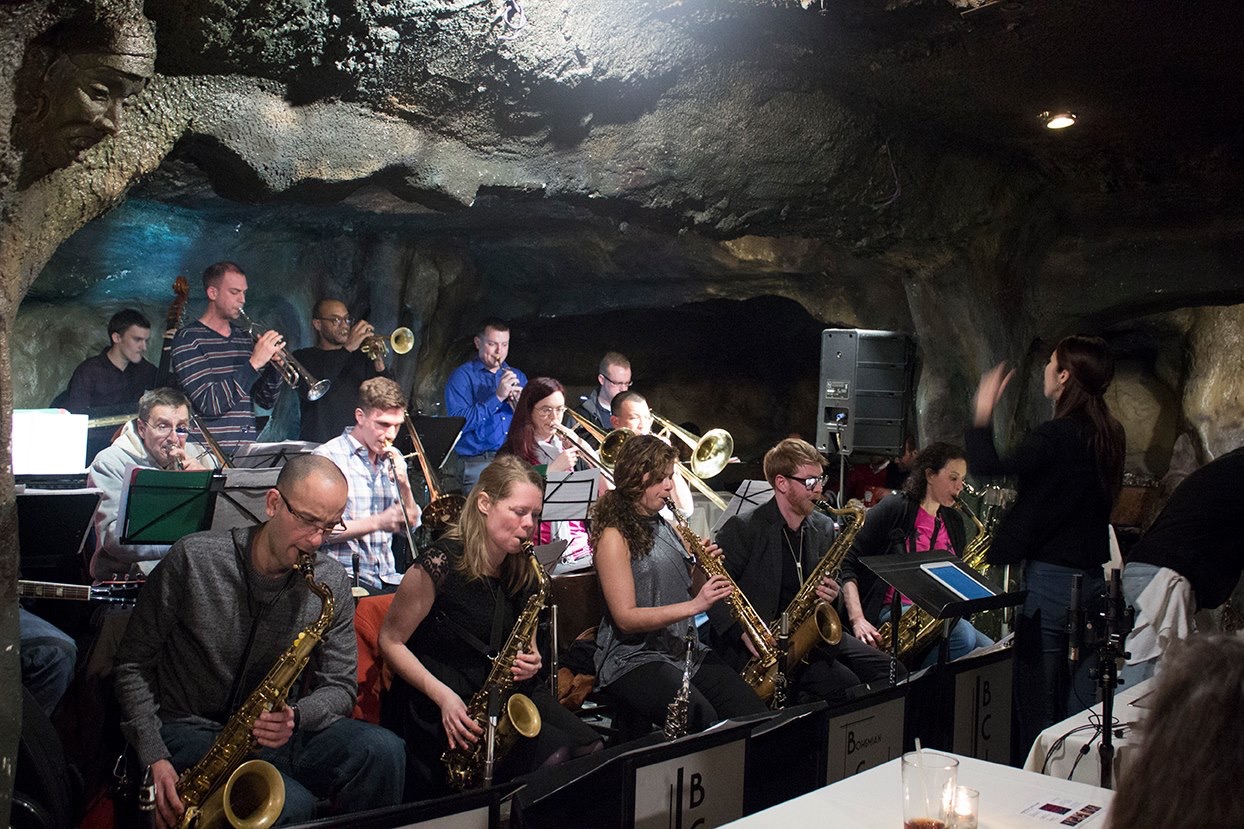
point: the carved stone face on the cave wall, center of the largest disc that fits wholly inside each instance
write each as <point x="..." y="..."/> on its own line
<point x="85" y="95"/>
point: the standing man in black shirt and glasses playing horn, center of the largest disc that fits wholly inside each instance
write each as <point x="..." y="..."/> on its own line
<point x="338" y="358"/>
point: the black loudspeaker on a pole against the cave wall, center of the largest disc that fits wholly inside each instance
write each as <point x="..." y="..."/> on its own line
<point x="866" y="383"/>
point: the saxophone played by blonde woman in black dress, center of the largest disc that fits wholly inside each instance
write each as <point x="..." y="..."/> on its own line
<point x="470" y="766"/>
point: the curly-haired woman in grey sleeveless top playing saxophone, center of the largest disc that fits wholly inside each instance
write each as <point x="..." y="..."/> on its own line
<point x="645" y="573"/>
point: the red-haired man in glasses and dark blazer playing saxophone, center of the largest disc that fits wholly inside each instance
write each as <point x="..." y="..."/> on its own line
<point x="769" y="553"/>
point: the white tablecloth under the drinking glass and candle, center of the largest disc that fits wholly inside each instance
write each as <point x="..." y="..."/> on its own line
<point x="874" y="800"/>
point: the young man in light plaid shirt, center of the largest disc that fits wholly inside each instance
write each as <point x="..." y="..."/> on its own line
<point x="380" y="489"/>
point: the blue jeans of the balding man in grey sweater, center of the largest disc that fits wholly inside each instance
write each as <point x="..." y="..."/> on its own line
<point x="353" y="765"/>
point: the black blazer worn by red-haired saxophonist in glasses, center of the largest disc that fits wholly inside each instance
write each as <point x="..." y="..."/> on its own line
<point x="753" y="550"/>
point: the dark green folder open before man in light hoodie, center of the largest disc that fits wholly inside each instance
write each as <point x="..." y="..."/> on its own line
<point x="162" y="507"/>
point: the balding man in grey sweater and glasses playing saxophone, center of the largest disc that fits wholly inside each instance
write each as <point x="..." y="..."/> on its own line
<point x="212" y="622"/>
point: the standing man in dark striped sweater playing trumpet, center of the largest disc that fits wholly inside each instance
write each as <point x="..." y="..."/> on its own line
<point x="222" y="369"/>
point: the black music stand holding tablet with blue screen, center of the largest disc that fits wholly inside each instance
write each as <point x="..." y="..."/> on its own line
<point x="904" y="572"/>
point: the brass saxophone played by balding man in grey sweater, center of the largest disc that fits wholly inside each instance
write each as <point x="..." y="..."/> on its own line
<point x="206" y="787"/>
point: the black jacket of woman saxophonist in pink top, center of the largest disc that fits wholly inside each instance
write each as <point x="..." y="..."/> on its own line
<point x="889" y="528"/>
